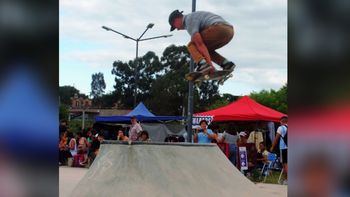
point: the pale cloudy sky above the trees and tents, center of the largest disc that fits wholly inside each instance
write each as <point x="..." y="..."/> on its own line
<point x="258" y="48"/>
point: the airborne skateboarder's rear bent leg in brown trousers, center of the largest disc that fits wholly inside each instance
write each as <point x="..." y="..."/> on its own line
<point x="215" y="37"/>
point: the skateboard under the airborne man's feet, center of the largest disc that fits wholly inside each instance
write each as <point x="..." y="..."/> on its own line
<point x="219" y="75"/>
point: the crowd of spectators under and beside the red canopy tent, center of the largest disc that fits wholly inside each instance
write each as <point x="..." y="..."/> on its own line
<point x="257" y="153"/>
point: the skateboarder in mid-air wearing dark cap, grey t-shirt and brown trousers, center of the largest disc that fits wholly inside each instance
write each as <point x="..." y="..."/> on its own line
<point x="208" y="32"/>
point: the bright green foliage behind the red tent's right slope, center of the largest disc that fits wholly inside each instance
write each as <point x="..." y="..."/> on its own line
<point x="273" y="99"/>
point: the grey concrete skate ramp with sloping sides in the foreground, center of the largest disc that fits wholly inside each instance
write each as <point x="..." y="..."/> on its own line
<point x="164" y="170"/>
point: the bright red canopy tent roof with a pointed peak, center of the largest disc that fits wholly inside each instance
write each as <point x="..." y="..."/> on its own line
<point x="244" y="109"/>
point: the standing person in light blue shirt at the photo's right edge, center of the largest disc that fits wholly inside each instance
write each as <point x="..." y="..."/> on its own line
<point x="281" y="137"/>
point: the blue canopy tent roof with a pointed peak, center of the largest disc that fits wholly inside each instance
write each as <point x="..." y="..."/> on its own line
<point x="142" y="114"/>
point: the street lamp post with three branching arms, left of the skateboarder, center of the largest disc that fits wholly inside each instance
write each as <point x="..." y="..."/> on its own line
<point x="149" y="26"/>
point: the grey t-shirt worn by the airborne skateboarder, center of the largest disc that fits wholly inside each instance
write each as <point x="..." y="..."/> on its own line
<point x="200" y="20"/>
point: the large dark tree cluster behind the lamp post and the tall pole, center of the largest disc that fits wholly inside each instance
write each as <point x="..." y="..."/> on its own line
<point x="161" y="83"/>
